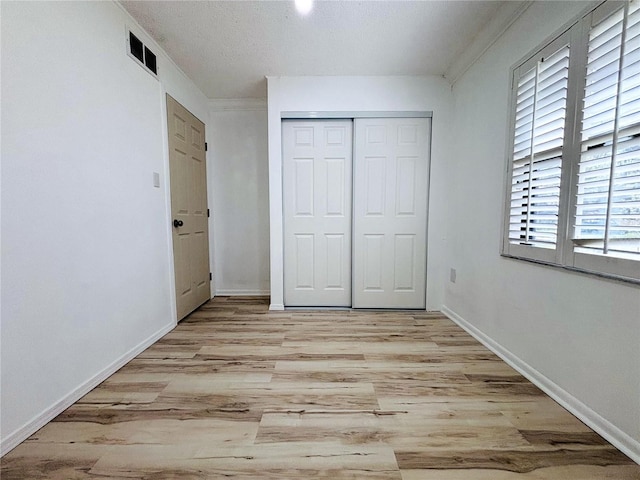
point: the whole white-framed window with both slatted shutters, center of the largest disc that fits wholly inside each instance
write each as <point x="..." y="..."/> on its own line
<point x="573" y="196"/>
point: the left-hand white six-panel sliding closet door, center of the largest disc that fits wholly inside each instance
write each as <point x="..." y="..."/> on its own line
<point x="317" y="171"/>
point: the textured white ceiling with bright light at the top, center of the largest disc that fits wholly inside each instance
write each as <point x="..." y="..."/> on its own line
<point x="227" y="47"/>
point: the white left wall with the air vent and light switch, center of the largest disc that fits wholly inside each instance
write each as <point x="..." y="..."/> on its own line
<point x="86" y="249"/>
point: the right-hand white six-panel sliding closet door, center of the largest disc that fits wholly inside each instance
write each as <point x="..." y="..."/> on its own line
<point x="390" y="212"/>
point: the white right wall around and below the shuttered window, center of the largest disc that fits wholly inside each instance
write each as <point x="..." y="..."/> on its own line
<point x="578" y="335"/>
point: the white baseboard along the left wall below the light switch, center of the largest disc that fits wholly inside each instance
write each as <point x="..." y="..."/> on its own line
<point x="21" y="434"/>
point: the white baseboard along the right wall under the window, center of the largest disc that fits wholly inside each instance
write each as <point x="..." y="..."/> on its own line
<point x="621" y="440"/>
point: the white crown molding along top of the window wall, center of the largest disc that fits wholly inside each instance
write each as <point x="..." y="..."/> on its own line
<point x="504" y="18"/>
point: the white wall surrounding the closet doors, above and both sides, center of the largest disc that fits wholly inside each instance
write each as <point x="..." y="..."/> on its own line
<point x="324" y="94"/>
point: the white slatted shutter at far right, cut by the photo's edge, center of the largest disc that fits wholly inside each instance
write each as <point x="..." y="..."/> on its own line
<point x="607" y="215"/>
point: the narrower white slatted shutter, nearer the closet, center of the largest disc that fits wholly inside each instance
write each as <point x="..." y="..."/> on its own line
<point x="538" y="139"/>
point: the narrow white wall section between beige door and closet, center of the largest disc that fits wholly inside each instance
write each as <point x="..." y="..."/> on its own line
<point x="239" y="196"/>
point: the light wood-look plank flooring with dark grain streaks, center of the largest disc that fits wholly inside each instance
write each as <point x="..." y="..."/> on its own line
<point x="238" y="392"/>
